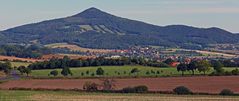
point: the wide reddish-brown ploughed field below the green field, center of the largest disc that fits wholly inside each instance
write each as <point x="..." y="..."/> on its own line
<point x="197" y="84"/>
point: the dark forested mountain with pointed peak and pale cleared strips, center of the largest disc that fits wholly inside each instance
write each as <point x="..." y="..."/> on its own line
<point x="94" y="28"/>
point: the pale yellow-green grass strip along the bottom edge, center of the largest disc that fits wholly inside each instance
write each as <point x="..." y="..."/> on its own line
<point x="6" y="95"/>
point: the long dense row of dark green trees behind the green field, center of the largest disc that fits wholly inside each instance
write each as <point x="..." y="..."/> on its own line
<point x="67" y="62"/>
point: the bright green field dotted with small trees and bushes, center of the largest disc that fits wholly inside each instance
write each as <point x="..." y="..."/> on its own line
<point x="119" y="71"/>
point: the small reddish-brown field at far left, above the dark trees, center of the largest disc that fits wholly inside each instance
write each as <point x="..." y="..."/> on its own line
<point x="11" y="58"/>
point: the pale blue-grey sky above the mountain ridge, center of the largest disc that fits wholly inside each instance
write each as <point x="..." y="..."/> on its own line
<point x="197" y="13"/>
